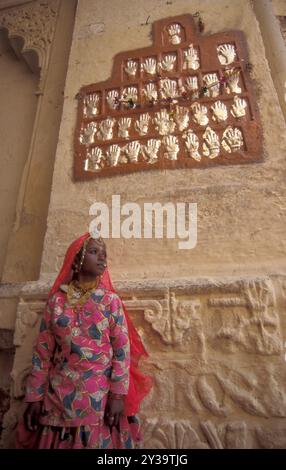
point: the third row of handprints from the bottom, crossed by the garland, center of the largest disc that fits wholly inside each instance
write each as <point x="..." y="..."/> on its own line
<point x="165" y="89"/>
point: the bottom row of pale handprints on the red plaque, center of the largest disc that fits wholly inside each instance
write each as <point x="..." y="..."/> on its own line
<point x="232" y="141"/>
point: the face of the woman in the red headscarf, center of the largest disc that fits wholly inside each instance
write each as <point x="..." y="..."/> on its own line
<point x="95" y="258"/>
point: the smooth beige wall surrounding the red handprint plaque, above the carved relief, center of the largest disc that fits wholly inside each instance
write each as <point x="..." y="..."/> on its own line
<point x="234" y="234"/>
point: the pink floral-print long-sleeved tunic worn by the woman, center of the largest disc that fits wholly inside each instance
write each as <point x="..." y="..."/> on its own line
<point x="81" y="353"/>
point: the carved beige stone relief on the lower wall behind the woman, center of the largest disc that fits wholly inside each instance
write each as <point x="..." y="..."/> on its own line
<point x="217" y="346"/>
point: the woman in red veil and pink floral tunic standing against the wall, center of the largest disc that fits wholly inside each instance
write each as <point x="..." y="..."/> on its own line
<point x="85" y="387"/>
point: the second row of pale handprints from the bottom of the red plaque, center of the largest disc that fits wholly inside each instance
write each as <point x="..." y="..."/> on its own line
<point x="164" y="122"/>
